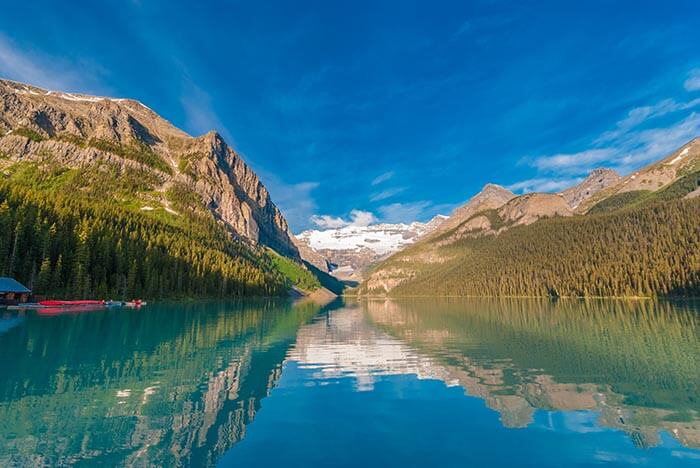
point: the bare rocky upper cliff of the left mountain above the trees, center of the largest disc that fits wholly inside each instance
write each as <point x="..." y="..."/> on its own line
<point x="77" y="130"/>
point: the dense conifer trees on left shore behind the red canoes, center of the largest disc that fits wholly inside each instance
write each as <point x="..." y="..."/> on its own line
<point x="67" y="246"/>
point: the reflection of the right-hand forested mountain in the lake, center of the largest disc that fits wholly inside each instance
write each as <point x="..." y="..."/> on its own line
<point x="636" y="364"/>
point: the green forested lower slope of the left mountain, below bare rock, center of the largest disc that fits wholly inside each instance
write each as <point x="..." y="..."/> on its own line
<point x="85" y="233"/>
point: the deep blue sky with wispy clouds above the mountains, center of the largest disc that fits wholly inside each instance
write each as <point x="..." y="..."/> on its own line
<point x="371" y="111"/>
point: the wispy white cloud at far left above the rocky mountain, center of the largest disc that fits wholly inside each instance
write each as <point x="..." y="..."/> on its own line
<point x="20" y="64"/>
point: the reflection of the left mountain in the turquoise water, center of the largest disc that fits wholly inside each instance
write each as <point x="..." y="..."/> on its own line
<point x="172" y="385"/>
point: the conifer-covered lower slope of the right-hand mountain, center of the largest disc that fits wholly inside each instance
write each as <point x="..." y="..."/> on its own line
<point x="648" y="250"/>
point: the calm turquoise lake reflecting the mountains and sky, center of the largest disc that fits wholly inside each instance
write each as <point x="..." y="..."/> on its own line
<point x="482" y="382"/>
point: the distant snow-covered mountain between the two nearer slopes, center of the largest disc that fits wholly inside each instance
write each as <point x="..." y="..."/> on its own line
<point x="347" y="252"/>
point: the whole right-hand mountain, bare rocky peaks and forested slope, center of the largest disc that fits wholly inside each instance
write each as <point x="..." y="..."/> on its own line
<point x="637" y="235"/>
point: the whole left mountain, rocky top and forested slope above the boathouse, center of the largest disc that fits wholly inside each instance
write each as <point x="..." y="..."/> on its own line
<point x="102" y="195"/>
